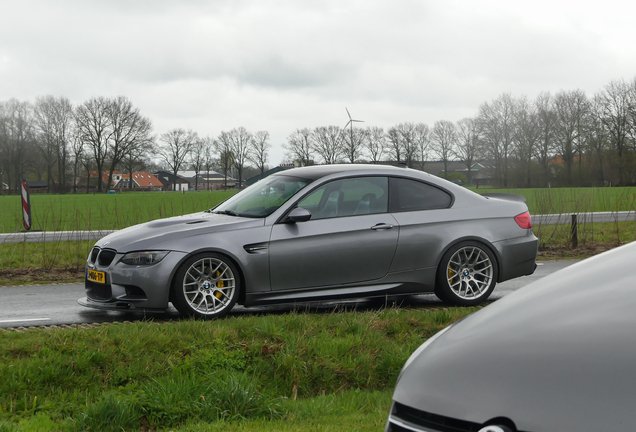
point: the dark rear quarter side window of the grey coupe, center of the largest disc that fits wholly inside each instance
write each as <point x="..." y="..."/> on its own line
<point x="411" y="195"/>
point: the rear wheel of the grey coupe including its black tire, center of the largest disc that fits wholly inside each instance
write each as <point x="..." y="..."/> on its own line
<point x="467" y="274"/>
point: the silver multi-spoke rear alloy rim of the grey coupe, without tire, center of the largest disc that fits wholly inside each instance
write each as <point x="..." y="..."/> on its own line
<point x="469" y="273"/>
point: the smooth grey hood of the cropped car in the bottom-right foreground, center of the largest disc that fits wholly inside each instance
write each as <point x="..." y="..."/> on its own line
<point x="559" y="354"/>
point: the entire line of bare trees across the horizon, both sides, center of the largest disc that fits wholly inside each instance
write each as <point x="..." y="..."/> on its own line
<point x="562" y="139"/>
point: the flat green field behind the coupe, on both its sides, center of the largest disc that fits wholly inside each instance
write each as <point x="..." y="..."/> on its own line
<point x="102" y="212"/>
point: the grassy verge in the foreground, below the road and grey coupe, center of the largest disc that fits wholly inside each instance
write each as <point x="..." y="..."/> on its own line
<point x="299" y="371"/>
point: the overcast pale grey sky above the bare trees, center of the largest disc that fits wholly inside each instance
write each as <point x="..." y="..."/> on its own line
<point x="280" y="65"/>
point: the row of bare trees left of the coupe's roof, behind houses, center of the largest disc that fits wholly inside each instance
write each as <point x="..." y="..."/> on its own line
<point x="53" y="140"/>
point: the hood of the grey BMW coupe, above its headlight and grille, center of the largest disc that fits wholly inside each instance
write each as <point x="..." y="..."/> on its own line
<point x="164" y="233"/>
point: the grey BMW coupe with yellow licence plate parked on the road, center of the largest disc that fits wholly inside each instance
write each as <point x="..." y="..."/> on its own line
<point x="315" y="233"/>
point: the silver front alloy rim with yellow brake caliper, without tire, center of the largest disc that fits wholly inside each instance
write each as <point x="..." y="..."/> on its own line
<point x="209" y="286"/>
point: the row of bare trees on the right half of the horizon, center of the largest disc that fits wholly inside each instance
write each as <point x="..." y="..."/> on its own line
<point x="562" y="139"/>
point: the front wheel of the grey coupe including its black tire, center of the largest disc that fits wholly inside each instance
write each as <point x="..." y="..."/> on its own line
<point x="206" y="286"/>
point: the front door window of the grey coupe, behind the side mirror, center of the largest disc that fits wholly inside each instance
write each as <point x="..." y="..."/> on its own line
<point x="348" y="197"/>
